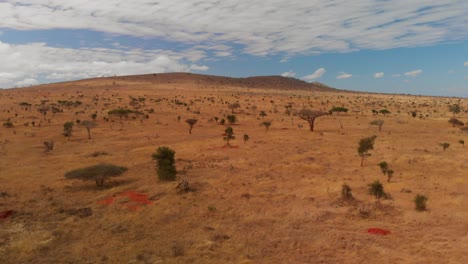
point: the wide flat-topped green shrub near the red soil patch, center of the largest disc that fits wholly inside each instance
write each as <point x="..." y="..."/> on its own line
<point x="97" y="173"/>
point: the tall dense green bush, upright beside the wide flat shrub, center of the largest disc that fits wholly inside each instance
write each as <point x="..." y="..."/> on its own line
<point x="164" y="157"/>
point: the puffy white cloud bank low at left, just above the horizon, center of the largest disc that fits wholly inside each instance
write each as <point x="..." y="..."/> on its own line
<point x="26" y="64"/>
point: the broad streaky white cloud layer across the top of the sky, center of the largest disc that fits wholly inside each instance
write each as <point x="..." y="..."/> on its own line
<point x="258" y="29"/>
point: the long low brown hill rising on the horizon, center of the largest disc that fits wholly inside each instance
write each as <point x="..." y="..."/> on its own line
<point x="262" y="82"/>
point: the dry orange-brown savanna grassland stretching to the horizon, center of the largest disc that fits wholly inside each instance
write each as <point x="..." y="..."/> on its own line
<point x="275" y="198"/>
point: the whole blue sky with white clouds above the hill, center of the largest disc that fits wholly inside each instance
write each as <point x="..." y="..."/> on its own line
<point x="411" y="47"/>
